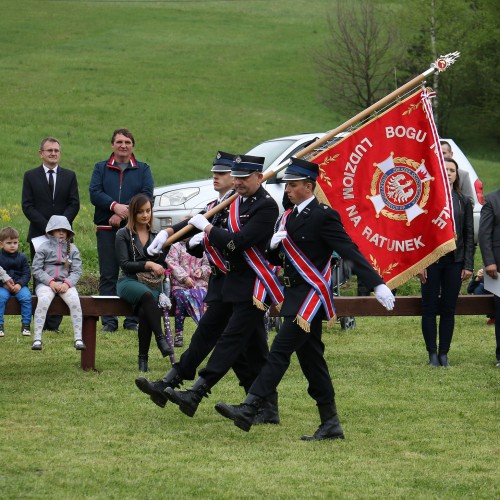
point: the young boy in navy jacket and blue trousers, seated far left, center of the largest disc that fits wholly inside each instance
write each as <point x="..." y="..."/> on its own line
<point x="15" y="264"/>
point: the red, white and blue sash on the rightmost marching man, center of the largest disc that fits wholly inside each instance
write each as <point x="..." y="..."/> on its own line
<point x="321" y="292"/>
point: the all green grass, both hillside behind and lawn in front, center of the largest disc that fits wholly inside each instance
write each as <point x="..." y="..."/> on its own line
<point x="190" y="78"/>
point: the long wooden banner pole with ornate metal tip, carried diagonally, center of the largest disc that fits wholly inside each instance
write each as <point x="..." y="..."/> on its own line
<point x="440" y="65"/>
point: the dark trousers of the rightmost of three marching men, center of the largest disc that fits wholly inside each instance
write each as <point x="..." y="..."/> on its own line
<point x="310" y="353"/>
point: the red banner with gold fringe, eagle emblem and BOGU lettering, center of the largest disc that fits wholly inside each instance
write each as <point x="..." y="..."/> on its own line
<point x="388" y="182"/>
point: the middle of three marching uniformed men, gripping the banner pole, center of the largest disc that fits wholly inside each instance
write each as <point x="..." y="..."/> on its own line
<point x="246" y="231"/>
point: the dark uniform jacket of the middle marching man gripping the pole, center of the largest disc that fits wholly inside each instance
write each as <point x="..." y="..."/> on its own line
<point x="257" y="217"/>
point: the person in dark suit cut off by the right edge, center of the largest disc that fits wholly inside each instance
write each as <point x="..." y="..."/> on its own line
<point x="489" y="243"/>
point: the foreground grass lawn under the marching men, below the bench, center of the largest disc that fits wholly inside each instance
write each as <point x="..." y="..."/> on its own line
<point x="411" y="431"/>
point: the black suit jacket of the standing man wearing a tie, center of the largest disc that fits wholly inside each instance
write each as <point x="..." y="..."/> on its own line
<point x="37" y="203"/>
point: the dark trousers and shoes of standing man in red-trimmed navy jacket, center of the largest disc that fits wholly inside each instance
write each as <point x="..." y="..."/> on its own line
<point x="108" y="274"/>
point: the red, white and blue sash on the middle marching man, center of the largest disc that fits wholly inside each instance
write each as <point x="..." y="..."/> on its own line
<point x="266" y="280"/>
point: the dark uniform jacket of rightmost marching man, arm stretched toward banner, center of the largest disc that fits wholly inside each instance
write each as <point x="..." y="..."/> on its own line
<point x="317" y="231"/>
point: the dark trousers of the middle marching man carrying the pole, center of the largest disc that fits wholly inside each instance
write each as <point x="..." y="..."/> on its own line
<point x="244" y="335"/>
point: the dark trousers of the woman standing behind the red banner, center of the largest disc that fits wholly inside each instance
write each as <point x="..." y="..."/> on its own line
<point x="439" y="297"/>
